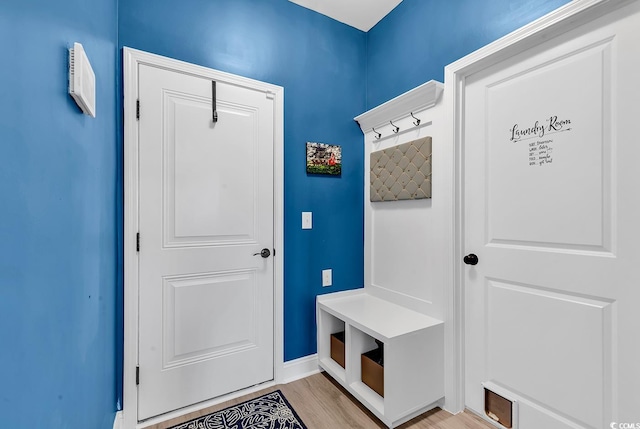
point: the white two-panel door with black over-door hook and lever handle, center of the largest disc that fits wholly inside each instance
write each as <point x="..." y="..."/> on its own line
<point x="205" y="208"/>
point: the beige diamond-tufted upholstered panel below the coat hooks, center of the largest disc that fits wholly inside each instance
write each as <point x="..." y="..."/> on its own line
<point x="402" y="172"/>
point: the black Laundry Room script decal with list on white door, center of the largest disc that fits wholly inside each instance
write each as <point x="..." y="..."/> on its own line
<point x="540" y="145"/>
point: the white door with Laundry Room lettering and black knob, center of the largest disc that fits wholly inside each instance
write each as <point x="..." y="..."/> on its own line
<point x="551" y="211"/>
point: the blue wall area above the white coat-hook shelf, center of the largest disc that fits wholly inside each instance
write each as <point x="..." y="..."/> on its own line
<point x="414" y="43"/>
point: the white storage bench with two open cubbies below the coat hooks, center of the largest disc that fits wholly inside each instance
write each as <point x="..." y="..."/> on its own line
<point x="413" y="344"/>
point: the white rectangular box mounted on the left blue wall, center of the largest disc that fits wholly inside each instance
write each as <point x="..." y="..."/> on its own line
<point x="82" y="80"/>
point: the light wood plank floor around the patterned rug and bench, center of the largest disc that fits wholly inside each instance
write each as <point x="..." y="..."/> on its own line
<point x="323" y="404"/>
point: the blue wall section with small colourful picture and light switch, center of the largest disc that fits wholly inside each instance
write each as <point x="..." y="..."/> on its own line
<point x="321" y="65"/>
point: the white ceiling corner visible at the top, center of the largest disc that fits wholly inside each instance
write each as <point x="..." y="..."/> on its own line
<point x="361" y="14"/>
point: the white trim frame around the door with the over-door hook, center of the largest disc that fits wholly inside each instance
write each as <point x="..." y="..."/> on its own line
<point x="132" y="59"/>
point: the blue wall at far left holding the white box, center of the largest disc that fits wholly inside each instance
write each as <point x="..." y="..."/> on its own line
<point x="58" y="218"/>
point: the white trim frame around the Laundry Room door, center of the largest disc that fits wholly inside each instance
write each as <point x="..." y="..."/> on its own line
<point x="564" y="19"/>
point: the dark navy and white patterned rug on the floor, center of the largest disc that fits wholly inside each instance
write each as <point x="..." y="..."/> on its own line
<point x="270" y="411"/>
